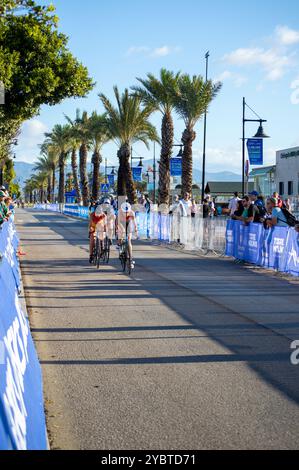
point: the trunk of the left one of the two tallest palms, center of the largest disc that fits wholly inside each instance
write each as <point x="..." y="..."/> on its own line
<point x="167" y="133"/>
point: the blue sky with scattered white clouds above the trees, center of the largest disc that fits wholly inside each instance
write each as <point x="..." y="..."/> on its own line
<point x="254" y="50"/>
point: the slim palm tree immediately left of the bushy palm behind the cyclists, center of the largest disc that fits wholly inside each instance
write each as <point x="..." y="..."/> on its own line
<point x="100" y="136"/>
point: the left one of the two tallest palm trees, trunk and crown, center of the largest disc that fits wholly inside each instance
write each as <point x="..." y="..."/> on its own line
<point x="160" y="93"/>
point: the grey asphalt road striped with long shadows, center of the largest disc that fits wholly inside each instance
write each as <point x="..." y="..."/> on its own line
<point x="188" y="353"/>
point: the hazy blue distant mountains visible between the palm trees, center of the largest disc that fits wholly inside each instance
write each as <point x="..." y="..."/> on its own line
<point x="24" y="171"/>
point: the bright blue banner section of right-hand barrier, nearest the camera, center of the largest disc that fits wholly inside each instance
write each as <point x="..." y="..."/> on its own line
<point x="276" y="248"/>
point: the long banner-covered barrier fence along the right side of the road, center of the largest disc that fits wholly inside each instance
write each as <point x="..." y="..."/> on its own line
<point x="275" y="248"/>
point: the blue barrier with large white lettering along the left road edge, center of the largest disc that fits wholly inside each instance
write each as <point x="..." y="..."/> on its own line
<point x="22" y="419"/>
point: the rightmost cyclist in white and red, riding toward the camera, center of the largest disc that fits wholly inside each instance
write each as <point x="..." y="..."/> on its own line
<point x="126" y="226"/>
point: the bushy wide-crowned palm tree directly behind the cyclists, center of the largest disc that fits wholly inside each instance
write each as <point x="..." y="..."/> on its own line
<point x="127" y="123"/>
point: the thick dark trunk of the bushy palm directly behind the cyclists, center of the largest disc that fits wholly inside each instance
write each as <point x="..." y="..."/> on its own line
<point x="125" y="182"/>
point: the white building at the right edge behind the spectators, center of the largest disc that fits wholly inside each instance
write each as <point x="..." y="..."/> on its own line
<point x="287" y="172"/>
